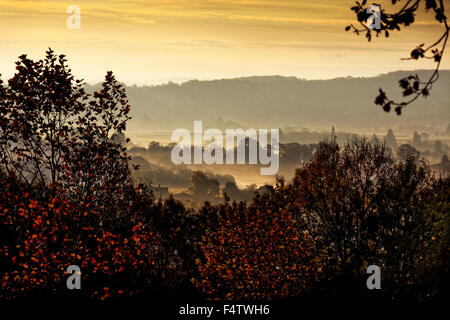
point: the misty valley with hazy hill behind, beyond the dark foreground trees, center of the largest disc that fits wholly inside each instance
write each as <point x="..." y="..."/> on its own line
<point x="305" y="112"/>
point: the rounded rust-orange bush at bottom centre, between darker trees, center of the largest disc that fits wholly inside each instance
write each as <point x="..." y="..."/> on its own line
<point x="257" y="254"/>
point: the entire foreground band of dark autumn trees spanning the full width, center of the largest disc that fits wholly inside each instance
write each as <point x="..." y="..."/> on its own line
<point x="67" y="198"/>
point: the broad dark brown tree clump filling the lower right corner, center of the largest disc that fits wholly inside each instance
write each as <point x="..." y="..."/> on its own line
<point x="364" y="209"/>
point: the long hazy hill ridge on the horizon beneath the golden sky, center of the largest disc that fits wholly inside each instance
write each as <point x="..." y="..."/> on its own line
<point x="275" y="101"/>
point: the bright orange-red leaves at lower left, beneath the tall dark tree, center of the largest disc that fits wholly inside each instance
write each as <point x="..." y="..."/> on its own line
<point x="45" y="236"/>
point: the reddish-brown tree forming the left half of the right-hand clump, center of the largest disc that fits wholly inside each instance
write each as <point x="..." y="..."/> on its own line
<point x="335" y="196"/>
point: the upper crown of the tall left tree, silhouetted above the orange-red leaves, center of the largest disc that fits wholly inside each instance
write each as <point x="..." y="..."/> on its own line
<point x="52" y="133"/>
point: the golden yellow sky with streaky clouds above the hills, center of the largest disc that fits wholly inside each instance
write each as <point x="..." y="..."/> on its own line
<point x="147" y="42"/>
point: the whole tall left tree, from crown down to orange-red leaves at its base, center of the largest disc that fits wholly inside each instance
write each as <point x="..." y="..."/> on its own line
<point x="66" y="197"/>
